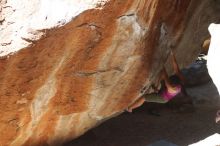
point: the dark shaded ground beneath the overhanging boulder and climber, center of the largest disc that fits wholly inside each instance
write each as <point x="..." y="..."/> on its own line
<point x="141" y="128"/>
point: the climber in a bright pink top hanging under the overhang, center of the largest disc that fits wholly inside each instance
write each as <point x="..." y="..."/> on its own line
<point x="167" y="92"/>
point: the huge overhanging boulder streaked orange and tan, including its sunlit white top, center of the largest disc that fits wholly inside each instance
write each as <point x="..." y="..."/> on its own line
<point x="71" y="78"/>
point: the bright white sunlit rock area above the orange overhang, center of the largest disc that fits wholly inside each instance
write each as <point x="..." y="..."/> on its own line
<point x="22" y="22"/>
